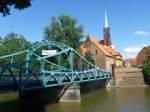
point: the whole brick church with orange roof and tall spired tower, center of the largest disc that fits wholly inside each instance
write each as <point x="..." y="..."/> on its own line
<point x="104" y="55"/>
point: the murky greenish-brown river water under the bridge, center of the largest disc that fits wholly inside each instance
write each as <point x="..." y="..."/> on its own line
<point x="101" y="100"/>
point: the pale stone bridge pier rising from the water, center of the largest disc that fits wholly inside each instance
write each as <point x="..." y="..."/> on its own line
<point x="71" y="94"/>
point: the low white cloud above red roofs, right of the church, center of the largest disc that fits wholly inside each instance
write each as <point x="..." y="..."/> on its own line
<point x="132" y="51"/>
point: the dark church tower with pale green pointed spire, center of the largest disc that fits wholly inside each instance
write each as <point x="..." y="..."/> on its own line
<point x="106" y="32"/>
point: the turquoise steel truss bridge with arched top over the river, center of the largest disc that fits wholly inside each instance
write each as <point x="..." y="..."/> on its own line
<point x="29" y="69"/>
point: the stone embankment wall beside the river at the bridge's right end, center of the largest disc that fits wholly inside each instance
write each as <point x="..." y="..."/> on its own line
<point x="128" y="77"/>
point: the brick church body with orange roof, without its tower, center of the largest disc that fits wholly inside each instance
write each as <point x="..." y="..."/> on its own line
<point x="104" y="56"/>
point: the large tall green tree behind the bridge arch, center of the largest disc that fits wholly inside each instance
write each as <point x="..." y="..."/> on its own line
<point x="64" y="29"/>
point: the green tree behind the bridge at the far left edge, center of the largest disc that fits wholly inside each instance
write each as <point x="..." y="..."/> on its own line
<point x="13" y="43"/>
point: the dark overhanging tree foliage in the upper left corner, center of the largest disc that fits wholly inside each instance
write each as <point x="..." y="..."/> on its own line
<point x="18" y="4"/>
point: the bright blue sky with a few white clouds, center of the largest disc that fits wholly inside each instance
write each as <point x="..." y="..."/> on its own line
<point x="129" y="20"/>
